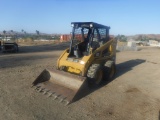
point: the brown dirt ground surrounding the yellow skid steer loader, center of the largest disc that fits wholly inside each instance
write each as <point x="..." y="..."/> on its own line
<point x="132" y="95"/>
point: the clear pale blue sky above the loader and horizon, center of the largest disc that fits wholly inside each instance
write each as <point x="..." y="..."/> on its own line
<point x="127" y="17"/>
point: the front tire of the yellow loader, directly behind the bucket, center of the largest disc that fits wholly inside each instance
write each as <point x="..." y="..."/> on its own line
<point x="95" y="75"/>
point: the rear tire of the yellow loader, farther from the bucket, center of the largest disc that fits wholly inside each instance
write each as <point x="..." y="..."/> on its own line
<point x="110" y="70"/>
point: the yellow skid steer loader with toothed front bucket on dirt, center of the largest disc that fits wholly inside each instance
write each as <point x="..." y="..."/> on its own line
<point x="88" y="61"/>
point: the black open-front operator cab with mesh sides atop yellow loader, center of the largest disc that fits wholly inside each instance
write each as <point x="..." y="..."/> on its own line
<point x="86" y="38"/>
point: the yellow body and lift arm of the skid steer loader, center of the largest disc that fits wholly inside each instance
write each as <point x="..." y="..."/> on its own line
<point x="80" y="66"/>
